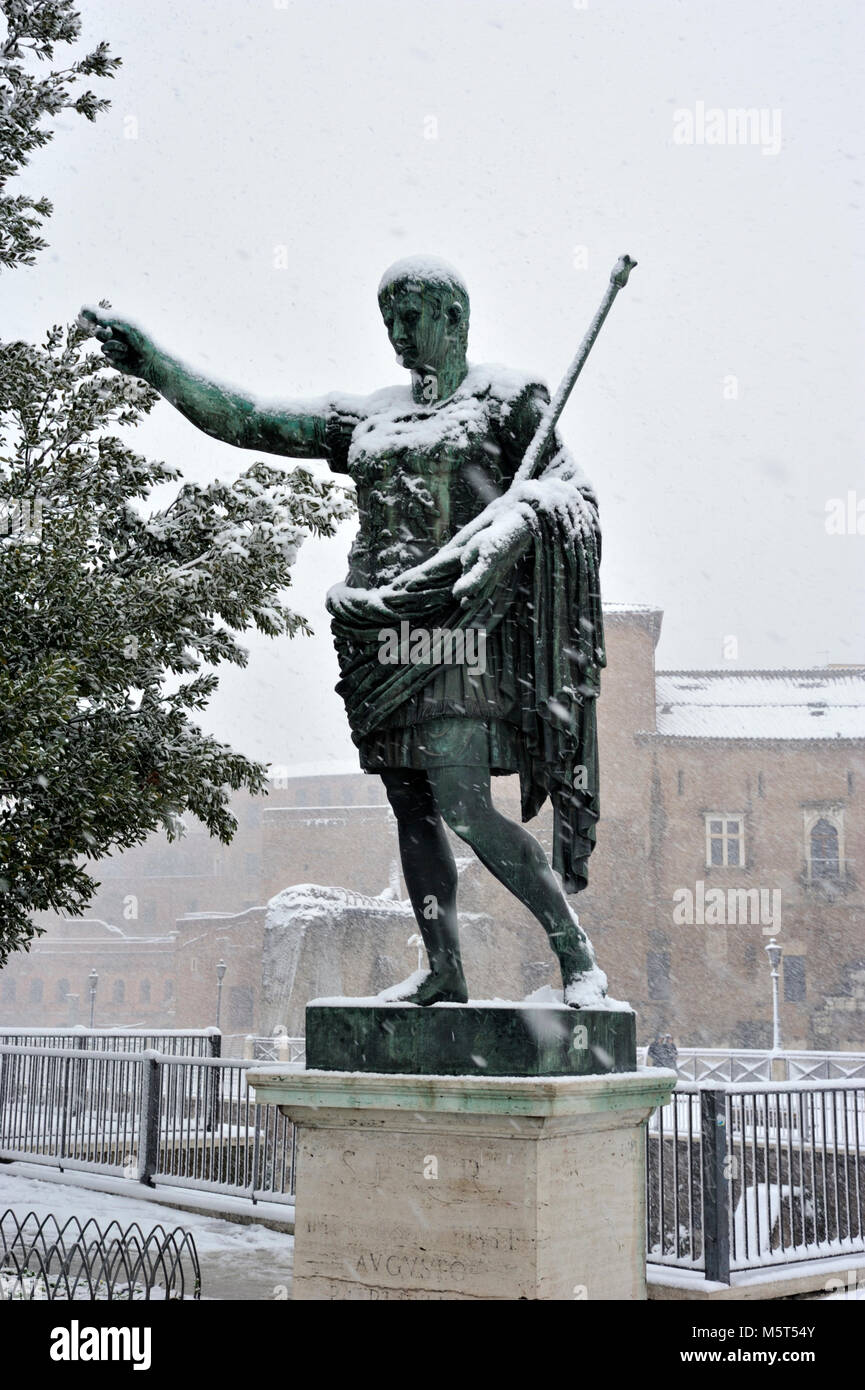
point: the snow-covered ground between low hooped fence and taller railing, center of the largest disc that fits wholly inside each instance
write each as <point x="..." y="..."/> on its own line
<point x="239" y="1261"/>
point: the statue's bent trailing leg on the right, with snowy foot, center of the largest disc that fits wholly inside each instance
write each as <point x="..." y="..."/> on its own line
<point x="518" y="861"/>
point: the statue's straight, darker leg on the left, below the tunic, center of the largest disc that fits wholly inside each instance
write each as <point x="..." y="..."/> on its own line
<point x="430" y="874"/>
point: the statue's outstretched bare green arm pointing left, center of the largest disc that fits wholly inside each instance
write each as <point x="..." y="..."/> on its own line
<point x="297" y="432"/>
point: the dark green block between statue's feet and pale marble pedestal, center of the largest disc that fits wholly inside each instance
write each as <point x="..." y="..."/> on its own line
<point x="469" y="1040"/>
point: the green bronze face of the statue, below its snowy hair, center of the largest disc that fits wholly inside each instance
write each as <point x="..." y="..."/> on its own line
<point x="426" y="326"/>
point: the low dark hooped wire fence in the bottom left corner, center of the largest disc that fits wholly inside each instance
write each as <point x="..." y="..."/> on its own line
<point x="45" y="1261"/>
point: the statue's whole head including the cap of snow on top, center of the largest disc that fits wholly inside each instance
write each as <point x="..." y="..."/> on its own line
<point x="425" y="305"/>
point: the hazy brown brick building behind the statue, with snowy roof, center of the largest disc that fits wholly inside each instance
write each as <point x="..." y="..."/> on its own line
<point x="732" y="811"/>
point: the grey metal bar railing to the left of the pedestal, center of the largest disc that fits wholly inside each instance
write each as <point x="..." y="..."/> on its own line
<point x="186" y="1121"/>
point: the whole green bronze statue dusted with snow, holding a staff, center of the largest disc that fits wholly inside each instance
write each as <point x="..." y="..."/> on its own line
<point x="469" y="629"/>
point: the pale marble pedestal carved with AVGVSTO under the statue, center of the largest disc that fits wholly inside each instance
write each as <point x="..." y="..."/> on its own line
<point x="461" y="1188"/>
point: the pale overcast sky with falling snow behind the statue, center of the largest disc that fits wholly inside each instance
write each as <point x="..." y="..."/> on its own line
<point x="531" y="144"/>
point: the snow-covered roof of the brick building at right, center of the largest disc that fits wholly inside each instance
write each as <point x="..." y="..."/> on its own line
<point x="779" y="704"/>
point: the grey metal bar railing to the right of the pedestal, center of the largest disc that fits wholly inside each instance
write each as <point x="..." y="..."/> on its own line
<point x="745" y="1177"/>
